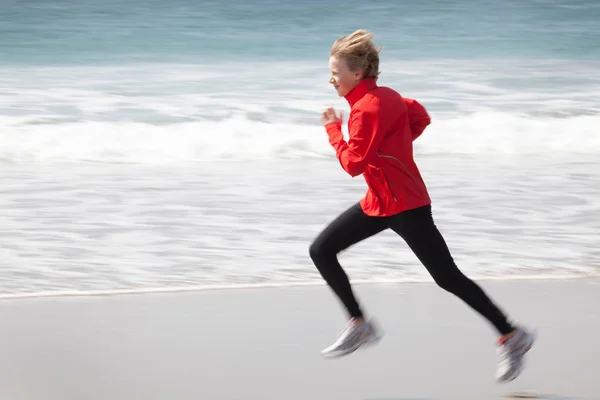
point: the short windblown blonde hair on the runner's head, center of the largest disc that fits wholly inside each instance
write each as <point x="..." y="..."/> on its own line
<point x="359" y="52"/>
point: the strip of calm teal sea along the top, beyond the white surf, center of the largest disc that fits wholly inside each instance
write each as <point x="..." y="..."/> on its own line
<point x="91" y="32"/>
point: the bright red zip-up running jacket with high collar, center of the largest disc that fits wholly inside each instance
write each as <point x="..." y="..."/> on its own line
<point x="382" y="126"/>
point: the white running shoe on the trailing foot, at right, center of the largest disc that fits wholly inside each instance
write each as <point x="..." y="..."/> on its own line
<point x="511" y="353"/>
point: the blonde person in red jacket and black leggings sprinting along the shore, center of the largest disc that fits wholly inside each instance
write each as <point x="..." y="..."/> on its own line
<point x="382" y="126"/>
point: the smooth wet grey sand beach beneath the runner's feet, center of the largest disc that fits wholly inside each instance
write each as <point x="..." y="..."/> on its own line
<point x="265" y="343"/>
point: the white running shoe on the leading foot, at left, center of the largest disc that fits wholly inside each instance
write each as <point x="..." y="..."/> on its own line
<point x="354" y="335"/>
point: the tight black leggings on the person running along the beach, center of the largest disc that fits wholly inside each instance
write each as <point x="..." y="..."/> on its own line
<point x="417" y="228"/>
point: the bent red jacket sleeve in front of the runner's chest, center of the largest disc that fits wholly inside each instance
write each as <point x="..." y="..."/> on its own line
<point x="365" y="136"/>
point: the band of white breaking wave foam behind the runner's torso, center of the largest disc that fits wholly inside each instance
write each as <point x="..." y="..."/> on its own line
<point x="242" y="138"/>
